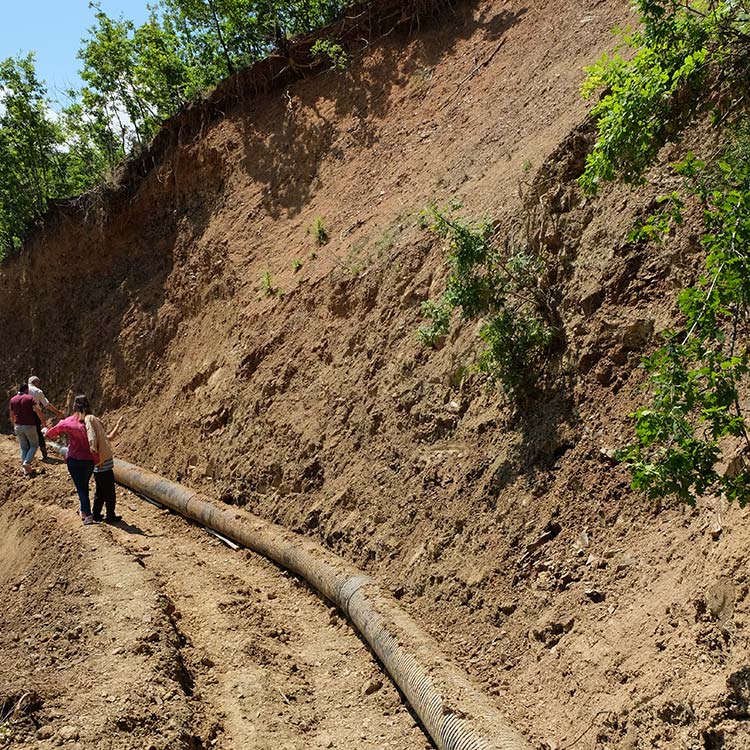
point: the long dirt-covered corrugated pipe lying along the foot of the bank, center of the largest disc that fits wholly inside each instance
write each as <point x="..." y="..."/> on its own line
<point x="453" y="711"/>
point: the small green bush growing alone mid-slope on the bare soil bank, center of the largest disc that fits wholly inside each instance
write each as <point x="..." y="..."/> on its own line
<point x="500" y="287"/>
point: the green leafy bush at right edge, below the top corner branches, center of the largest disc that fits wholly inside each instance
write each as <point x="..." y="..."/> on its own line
<point x="696" y="376"/>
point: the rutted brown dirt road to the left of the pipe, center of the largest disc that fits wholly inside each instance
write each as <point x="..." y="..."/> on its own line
<point x="153" y="634"/>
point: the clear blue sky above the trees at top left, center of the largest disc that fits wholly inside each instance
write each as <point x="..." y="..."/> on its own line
<point x="53" y="29"/>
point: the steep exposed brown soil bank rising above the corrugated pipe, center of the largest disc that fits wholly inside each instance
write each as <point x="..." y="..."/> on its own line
<point x="509" y="533"/>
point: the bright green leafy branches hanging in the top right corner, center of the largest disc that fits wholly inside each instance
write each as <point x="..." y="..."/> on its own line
<point x="689" y="58"/>
